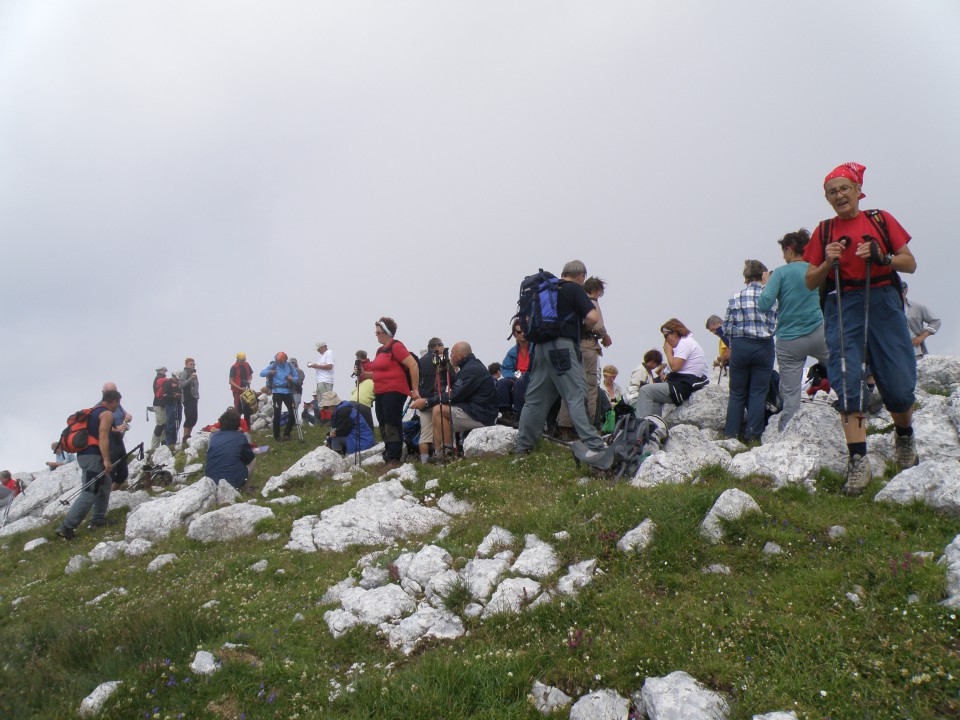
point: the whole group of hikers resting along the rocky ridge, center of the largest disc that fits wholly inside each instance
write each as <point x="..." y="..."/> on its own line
<point x="838" y="299"/>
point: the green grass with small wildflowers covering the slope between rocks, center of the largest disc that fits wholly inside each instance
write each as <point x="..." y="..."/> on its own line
<point x="777" y="633"/>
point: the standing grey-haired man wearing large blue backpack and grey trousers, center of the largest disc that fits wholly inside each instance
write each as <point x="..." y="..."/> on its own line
<point x="550" y="313"/>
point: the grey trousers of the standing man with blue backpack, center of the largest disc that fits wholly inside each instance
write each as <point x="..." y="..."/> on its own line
<point x="545" y="384"/>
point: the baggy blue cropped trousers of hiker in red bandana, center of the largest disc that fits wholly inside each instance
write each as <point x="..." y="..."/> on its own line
<point x="890" y="349"/>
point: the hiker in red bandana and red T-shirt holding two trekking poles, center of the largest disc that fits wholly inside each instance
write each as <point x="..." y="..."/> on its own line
<point x="858" y="254"/>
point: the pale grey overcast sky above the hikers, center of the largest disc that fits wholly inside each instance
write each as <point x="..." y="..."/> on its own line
<point x="199" y="178"/>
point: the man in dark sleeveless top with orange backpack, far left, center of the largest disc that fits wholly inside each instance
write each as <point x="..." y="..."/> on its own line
<point x="95" y="465"/>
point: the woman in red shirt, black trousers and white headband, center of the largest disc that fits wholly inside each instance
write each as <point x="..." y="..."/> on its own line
<point x="396" y="375"/>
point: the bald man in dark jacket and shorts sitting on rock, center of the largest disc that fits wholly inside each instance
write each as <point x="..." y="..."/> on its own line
<point x="470" y="404"/>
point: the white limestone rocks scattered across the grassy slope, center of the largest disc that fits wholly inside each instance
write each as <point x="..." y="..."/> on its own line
<point x="402" y="585"/>
